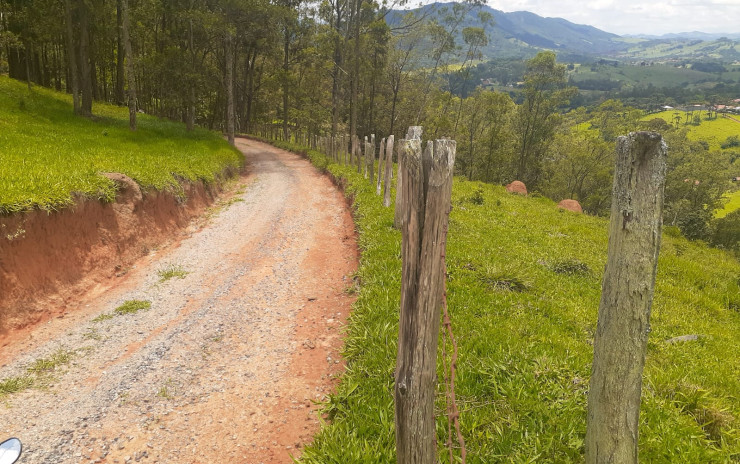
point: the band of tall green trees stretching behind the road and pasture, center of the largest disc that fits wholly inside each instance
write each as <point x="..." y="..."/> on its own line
<point x="339" y="67"/>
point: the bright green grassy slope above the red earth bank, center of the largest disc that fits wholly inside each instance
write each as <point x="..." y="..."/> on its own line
<point x="47" y="153"/>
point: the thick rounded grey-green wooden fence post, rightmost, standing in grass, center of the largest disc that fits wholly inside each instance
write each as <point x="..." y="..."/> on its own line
<point x="623" y="324"/>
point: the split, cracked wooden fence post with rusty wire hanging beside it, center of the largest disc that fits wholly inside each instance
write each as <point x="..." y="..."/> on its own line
<point x="427" y="190"/>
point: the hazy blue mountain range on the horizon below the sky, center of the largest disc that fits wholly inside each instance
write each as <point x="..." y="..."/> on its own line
<point x="522" y="34"/>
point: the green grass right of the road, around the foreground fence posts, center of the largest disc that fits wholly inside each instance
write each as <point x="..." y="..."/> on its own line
<point x="525" y="350"/>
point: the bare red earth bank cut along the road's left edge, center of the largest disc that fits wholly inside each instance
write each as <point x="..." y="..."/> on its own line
<point x="63" y="253"/>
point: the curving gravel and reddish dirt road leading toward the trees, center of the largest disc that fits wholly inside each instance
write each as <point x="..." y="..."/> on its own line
<point x="227" y="362"/>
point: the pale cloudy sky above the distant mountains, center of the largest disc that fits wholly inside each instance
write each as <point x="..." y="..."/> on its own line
<point x="622" y="17"/>
